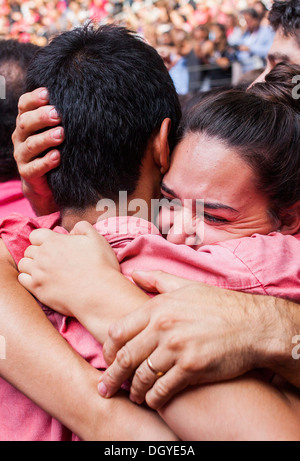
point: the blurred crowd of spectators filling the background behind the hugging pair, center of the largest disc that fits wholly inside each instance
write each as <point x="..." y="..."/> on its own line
<point x="204" y="43"/>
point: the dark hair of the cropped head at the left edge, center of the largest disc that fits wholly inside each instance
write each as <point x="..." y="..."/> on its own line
<point x="14" y="60"/>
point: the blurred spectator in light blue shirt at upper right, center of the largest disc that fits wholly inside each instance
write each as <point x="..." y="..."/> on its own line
<point x="255" y="42"/>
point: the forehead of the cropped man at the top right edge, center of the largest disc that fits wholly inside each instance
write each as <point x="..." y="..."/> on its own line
<point x="285" y="46"/>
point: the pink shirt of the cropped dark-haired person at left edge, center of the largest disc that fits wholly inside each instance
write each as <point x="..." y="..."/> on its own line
<point x="12" y="199"/>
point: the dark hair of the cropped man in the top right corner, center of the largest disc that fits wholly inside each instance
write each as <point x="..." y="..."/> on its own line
<point x="286" y="15"/>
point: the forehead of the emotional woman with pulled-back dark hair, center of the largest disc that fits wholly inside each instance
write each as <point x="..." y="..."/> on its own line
<point x="203" y="167"/>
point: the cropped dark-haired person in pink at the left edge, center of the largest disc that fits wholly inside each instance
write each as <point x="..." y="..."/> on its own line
<point x="14" y="60"/>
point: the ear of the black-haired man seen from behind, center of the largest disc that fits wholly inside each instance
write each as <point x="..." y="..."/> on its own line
<point x="161" y="146"/>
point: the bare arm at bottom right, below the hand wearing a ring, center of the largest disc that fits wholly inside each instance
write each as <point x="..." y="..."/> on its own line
<point x="249" y="407"/>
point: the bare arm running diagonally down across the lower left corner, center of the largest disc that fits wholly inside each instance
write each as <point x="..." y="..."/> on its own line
<point x="36" y="365"/>
